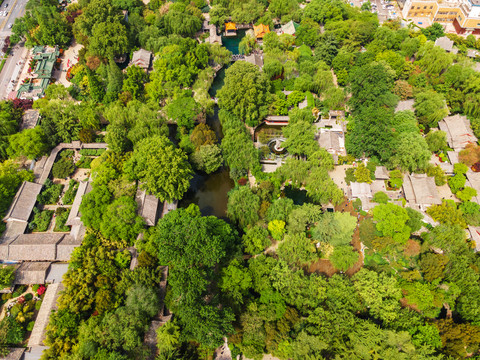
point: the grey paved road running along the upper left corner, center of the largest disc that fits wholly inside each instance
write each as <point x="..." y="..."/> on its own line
<point x="16" y="8"/>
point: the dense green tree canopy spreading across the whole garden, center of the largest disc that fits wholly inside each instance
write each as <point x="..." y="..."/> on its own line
<point x="301" y="264"/>
